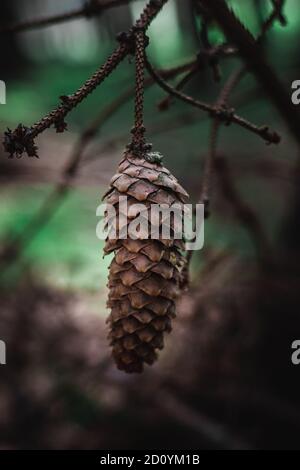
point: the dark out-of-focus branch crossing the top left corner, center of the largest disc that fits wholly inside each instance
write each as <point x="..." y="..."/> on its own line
<point x="89" y="9"/>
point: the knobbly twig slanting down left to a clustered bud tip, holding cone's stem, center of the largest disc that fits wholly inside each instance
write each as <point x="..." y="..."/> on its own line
<point x="22" y="138"/>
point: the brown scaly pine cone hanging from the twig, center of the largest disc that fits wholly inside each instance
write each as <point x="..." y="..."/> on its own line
<point x="145" y="273"/>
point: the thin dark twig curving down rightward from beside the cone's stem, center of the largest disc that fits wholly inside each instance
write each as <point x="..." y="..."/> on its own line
<point x="223" y="114"/>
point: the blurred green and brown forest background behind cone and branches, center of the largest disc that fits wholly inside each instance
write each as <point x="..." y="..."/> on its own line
<point x="225" y="377"/>
